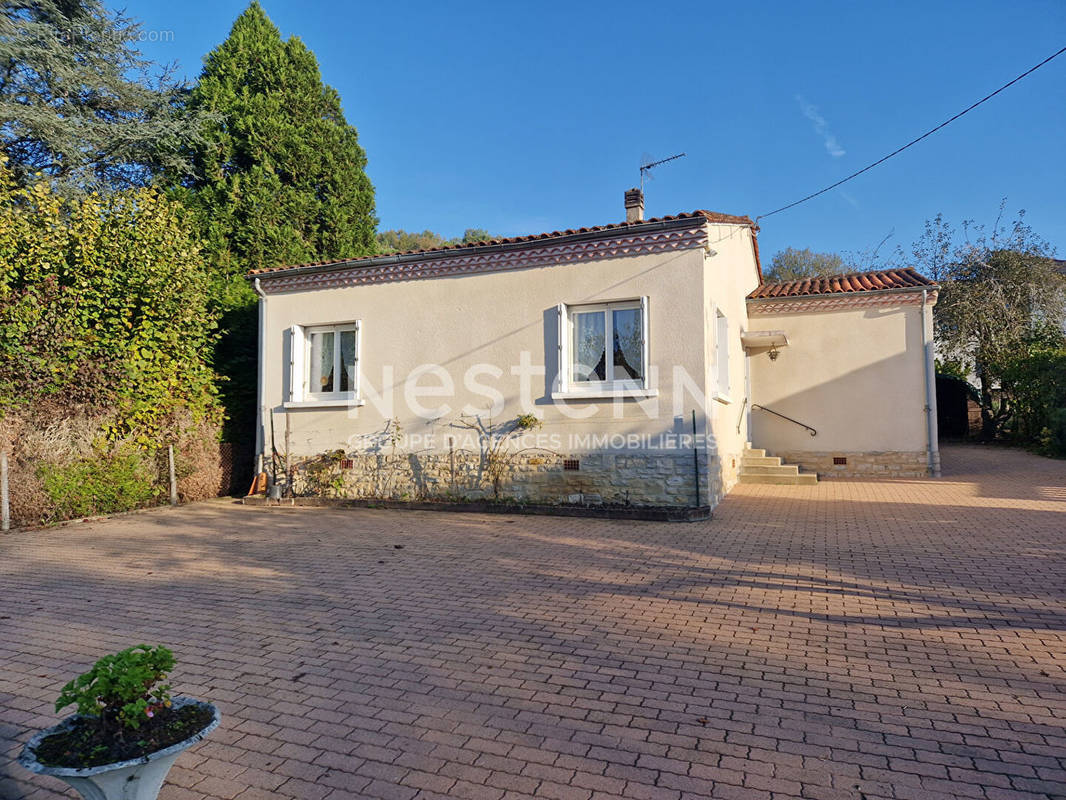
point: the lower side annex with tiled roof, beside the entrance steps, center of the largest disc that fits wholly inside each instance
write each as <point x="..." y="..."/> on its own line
<point x="860" y="372"/>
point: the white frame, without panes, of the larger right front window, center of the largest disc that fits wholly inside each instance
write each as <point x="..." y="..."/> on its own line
<point x="568" y="387"/>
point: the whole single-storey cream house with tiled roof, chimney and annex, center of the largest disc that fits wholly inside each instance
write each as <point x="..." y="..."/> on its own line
<point x="624" y="363"/>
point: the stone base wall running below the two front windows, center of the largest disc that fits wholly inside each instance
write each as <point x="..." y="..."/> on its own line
<point x="639" y="479"/>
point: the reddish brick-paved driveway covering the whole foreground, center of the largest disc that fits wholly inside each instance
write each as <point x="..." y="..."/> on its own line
<point x="857" y="639"/>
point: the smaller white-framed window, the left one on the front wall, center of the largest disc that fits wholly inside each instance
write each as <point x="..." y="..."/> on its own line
<point x="325" y="366"/>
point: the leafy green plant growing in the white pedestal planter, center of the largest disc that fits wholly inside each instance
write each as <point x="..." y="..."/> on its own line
<point x="124" y="690"/>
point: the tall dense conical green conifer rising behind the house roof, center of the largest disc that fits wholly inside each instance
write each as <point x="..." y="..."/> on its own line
<point x="281" y="178"/>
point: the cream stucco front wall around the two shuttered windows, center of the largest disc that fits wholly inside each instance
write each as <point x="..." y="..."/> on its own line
<point x="487" y="319"/>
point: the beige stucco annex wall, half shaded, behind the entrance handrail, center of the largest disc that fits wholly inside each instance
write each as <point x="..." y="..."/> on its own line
<point x="858" y="376"/>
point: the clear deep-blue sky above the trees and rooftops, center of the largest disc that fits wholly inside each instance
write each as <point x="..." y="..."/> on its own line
<point x="529" y="118"/>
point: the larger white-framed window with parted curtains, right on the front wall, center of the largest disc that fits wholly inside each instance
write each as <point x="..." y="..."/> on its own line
<point x="604" y="348"/>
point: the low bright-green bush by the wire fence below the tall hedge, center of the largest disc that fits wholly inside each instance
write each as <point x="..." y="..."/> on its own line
<point x="117" y="482"/>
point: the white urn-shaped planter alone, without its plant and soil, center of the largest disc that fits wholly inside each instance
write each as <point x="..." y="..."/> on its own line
<point x="138" y="779"/>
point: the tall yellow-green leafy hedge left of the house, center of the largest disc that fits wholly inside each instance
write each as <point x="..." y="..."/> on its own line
<point x="105" y="303"/>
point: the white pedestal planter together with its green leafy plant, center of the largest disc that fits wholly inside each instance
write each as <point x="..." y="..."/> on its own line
<point x="128" y="732"/>
